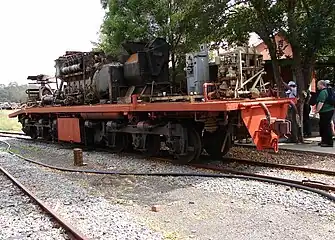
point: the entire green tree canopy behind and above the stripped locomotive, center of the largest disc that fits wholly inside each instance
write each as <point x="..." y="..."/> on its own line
<point x="308" y="25"/>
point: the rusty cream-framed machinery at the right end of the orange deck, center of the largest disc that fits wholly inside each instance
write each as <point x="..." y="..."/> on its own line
<point x="240" y="73"/>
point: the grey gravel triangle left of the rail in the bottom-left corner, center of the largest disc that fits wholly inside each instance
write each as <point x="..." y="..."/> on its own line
<point x="22" y="219"/>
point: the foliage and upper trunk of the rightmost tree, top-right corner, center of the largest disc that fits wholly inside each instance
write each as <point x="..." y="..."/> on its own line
<point x="310" y="30"/>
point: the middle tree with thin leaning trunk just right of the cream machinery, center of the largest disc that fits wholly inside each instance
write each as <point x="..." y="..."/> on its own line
<point x="244" y="17"/>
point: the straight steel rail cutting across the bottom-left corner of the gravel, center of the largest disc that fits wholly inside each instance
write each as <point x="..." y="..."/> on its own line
<point x="76" y="234"/>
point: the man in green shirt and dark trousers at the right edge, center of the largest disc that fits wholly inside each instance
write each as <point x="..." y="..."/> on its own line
<point x="326" y="112"/>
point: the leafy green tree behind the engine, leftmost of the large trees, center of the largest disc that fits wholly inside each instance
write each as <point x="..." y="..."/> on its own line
<point x="183" y="23"/>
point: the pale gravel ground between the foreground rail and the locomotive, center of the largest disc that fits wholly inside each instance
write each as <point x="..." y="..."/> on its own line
<point x="188" y="207"/>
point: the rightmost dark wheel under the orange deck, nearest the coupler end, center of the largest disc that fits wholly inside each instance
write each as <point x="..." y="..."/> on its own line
<point x="213" y="143"/>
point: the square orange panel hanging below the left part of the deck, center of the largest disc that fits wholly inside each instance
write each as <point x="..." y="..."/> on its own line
<point x="68" y="130"/>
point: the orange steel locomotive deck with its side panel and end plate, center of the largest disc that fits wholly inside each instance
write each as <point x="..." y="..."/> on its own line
<point x="257" y="115"/>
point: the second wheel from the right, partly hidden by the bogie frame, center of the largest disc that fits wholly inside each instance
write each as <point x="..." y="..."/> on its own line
<point x="194" y="148"/>
